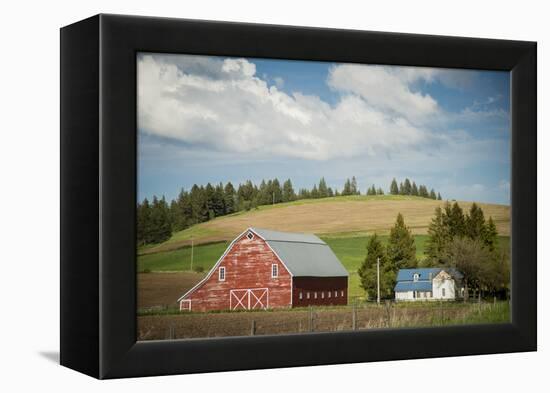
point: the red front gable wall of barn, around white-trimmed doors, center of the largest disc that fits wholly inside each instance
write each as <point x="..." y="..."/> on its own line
<point x="247" y="266"/>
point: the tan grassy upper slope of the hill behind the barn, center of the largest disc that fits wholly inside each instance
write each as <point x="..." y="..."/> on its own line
<point x="350" y="216"/>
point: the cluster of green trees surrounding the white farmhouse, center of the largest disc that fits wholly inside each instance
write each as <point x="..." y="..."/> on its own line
<point x="465" y="242"/>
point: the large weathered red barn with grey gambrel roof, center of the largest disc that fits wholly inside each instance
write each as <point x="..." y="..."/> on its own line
<point x="267" y="269"/>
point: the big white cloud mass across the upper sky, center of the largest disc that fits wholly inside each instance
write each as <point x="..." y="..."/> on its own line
<point x="222" y="104"/>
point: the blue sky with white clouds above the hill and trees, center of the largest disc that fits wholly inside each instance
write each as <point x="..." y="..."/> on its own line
<point x="212" y="119"/>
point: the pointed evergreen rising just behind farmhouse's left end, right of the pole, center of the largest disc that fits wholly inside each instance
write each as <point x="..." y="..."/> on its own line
<point x="401" y="250"/>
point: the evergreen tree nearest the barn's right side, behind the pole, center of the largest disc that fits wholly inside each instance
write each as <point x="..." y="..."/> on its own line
<point x="368" y="270"/>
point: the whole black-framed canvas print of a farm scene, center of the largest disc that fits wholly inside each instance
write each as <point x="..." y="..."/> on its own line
<point x="295" y="196"/>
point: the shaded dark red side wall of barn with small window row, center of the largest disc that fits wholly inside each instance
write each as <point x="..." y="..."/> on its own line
<point x="320" y="286"/>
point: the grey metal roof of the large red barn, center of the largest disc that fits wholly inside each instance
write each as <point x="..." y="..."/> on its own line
<point x="304" y="255"/>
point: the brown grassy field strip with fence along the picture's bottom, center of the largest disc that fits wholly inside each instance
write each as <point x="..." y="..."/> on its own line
<point x="195" y="325"/>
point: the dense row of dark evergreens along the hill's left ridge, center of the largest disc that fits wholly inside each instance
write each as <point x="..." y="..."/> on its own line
<point x="158" y="219"/>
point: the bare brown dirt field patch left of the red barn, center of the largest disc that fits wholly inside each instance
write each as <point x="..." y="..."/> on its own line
<point x="164" y="289"/>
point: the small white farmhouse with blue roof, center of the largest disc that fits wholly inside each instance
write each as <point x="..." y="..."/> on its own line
<point x="428" y="284"/>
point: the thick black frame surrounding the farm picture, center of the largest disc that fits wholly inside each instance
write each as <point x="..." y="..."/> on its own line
<point x="98" y="195"/>
